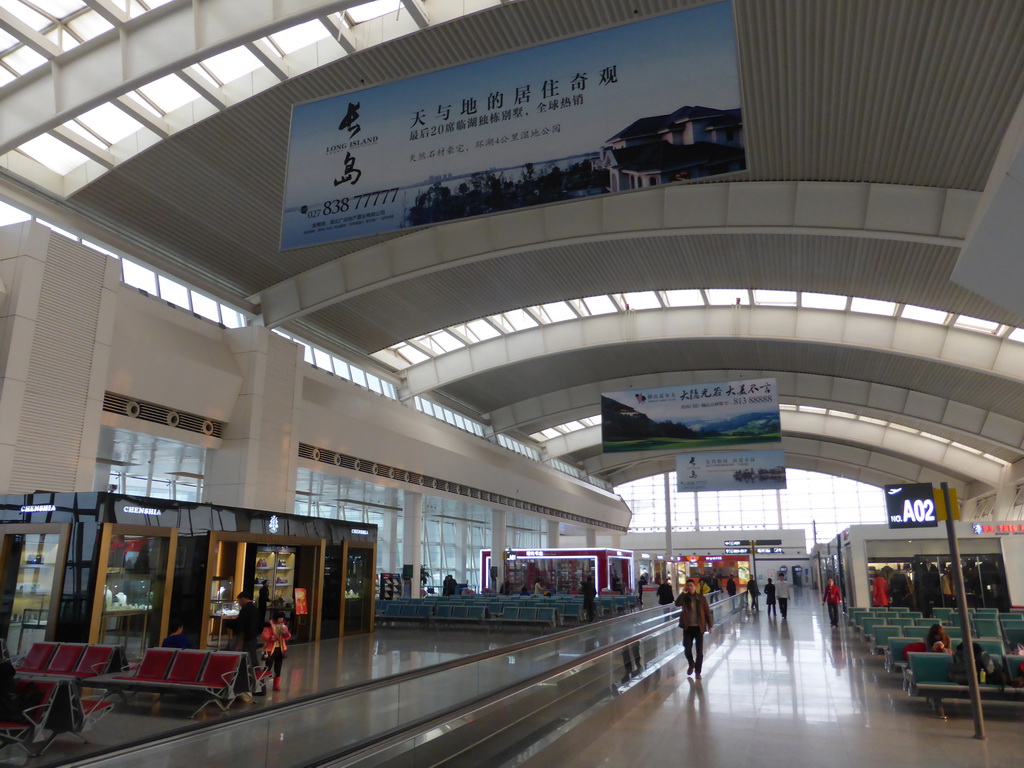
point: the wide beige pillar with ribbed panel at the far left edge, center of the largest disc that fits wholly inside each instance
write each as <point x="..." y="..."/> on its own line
<point x="58" y="305"/>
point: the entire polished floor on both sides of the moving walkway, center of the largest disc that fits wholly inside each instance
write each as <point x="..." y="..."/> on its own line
<point x="775" y="693"/>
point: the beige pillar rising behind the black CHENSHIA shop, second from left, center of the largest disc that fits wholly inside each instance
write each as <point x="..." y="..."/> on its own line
<point x="258" y="464"/>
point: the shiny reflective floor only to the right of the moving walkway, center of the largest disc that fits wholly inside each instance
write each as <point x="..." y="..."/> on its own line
<point x="793" y="694"/>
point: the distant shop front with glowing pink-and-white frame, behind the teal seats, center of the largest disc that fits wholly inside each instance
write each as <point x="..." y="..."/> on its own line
<point x="561" y="571"/>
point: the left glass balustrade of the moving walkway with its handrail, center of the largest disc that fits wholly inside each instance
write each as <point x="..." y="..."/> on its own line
<point x="379" y="707"/>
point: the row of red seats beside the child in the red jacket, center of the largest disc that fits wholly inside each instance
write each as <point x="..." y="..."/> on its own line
<point x="215" y="676"/>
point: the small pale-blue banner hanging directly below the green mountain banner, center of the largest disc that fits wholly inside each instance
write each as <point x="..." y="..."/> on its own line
<point x="733" y="471"/>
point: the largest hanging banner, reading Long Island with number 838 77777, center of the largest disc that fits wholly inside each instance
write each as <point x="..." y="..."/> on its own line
<point x="646" y="104"/>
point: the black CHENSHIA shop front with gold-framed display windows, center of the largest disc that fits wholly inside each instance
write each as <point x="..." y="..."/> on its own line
<point x="108" y="569"/>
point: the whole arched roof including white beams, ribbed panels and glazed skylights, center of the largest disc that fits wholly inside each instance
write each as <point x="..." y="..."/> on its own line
<point x="884" y="165"/>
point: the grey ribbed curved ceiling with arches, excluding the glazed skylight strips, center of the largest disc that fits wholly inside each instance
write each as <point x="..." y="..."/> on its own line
<point x="873" y="133"/>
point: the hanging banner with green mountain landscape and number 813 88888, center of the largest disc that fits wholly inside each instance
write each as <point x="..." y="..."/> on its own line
<point x="700" y="417"/>
